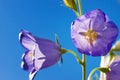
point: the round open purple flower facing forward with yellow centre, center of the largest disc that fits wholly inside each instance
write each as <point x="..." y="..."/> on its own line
<point x="93" y="33"/>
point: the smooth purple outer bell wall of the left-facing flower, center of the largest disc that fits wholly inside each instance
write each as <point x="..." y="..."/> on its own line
<point x="50" y="50"/>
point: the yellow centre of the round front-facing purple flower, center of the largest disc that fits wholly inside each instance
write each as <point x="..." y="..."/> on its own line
<point x="91" y="36"/>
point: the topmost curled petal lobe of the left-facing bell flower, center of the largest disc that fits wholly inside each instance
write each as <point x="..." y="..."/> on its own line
<point x="27" y="40"/>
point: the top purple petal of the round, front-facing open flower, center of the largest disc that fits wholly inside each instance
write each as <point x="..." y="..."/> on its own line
<point x="98" y="20"/>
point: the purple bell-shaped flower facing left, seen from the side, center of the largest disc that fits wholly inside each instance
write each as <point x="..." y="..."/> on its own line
<point x="41" y="53"/>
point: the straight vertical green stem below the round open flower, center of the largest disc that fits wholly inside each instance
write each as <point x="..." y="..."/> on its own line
<point x="83" y="67"/>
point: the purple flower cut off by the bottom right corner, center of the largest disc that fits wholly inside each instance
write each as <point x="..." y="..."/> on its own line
<point x="114" y="73"/>
